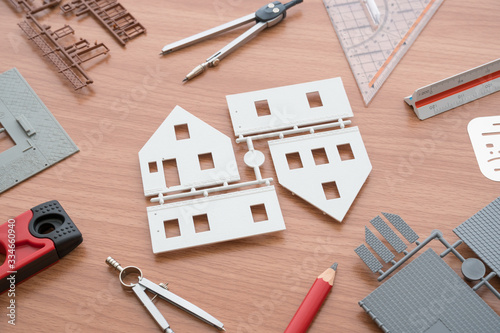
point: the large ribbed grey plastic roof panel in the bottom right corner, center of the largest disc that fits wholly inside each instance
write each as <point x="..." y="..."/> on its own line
<point x="427" y="296"/>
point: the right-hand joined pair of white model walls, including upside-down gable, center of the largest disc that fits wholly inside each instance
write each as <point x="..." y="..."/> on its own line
<point x="325" y="168"/>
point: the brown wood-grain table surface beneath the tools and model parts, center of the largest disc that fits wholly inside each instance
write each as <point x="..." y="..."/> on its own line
<point x="425" y="171"/>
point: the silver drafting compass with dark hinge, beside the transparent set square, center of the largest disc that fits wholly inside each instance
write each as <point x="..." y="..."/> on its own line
<point x="265" y="17"/>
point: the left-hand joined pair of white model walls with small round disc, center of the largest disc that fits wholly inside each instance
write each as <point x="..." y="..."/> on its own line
<point x="187" y="158"/>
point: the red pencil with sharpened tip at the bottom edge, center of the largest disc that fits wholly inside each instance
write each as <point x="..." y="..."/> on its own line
<point x="312" y="302"/>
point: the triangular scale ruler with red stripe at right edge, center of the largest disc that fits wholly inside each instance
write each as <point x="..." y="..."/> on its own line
<point x="456" y="90"/>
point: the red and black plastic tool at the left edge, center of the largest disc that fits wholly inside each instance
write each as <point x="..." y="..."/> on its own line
<point x="40" y="237"/>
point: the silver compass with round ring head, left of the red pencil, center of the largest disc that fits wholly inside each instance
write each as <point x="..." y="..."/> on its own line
<point x="161" y="291"/>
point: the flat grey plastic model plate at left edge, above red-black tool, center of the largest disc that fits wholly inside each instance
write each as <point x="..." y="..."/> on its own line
<point x="39" y="139"/>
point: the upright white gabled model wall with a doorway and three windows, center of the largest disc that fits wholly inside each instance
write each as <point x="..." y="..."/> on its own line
<point x="199" y="139"/>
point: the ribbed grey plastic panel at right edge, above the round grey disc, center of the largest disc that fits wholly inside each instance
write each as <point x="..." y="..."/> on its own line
<point x="481" y="233"/>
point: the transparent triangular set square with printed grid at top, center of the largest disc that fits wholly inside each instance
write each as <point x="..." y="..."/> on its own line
<point x="376" y="34"/>
